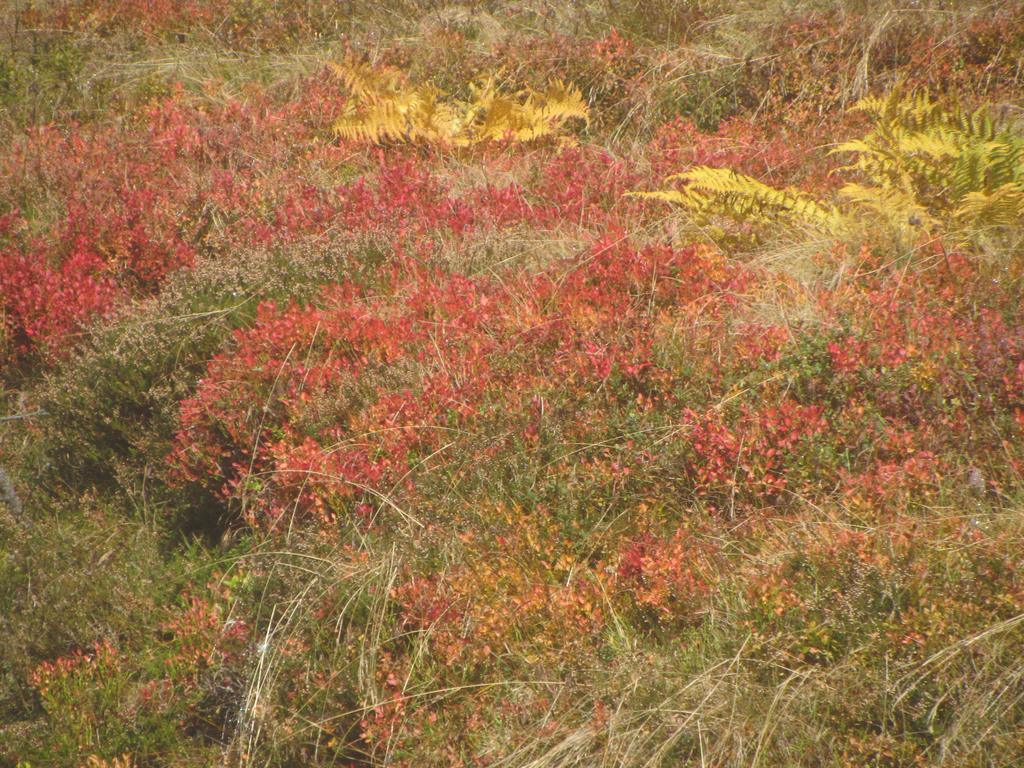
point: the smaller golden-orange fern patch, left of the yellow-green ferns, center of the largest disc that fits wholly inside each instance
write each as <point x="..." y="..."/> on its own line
<point x="386" y="108"/>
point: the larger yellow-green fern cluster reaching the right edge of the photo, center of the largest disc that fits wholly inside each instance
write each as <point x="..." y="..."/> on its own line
<point x="922" y="165"/>
